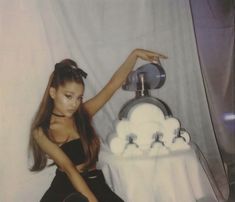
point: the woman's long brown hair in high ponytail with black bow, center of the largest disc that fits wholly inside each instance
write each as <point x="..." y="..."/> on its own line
<point x="65" y="71"/>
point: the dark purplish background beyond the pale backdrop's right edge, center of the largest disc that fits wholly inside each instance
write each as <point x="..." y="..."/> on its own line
<point x="214" y="28"/>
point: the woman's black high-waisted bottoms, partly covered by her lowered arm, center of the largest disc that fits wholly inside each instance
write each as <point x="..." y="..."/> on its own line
<point x="61" y="189"/>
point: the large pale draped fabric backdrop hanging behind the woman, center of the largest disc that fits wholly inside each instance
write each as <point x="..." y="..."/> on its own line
<point x="35" y="34"/>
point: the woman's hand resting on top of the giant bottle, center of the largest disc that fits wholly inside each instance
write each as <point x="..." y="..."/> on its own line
<point x="148" y="55"/>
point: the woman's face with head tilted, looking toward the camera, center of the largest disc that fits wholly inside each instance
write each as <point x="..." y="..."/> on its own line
<point x="67" y="98"/>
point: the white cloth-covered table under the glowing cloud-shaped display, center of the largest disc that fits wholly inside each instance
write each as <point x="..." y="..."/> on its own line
<point x="175" y="177"/>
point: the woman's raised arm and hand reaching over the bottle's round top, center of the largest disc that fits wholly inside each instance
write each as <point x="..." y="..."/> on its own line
<point x="97" y="102"/>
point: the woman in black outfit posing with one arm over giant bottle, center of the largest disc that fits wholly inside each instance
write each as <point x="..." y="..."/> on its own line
<point x="62" y="131"/>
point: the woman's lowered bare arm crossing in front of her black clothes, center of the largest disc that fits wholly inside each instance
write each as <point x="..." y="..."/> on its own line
<point x="64" y="163"/>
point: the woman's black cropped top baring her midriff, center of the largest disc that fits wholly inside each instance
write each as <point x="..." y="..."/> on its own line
<point x="74" y="150"/>
